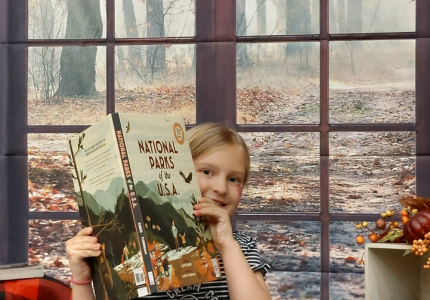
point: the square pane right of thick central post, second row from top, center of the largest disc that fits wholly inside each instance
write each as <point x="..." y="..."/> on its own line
<point x="278" y="83"/>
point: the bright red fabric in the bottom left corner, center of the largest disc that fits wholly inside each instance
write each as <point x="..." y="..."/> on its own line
<point x="45" y="288"/>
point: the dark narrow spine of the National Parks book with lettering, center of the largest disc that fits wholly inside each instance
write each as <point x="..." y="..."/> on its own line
<point x="134" y="204"/>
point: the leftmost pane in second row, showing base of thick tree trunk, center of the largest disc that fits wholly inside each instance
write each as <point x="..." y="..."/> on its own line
<point x="66" y="85"/>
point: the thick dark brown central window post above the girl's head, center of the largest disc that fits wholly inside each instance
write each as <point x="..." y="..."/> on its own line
<point x="216" y="61"/>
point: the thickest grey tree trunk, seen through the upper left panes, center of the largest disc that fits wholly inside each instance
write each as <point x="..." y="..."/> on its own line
<point x="77" y="65"/>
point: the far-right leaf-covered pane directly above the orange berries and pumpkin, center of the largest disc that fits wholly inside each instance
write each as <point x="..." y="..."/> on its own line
<point x="370" y="172"/>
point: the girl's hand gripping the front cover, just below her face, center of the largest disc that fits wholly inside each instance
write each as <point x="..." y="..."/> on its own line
<point x="219" y="222"/>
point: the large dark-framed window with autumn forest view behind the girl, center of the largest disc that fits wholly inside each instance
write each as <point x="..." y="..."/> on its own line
<point x="330" y="95"/>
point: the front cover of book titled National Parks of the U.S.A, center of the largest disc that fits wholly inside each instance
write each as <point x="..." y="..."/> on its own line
<point x="179" y="243"/>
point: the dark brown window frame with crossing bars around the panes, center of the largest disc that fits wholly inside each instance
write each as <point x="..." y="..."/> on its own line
<point x="216" y="101"/>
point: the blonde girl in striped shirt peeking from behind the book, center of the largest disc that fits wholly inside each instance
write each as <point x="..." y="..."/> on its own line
<point x="222" y="164"/>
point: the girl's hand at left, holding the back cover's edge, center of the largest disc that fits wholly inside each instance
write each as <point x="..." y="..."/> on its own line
<point x="78" y="248"/>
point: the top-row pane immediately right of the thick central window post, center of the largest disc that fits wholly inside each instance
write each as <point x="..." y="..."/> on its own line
<point x="281" y="17"/>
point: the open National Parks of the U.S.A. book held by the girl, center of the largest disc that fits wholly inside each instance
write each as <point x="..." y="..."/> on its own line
<point x="135" y="183"/>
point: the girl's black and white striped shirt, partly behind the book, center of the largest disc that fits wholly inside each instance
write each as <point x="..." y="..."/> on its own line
<point x="217" y="290"/>
